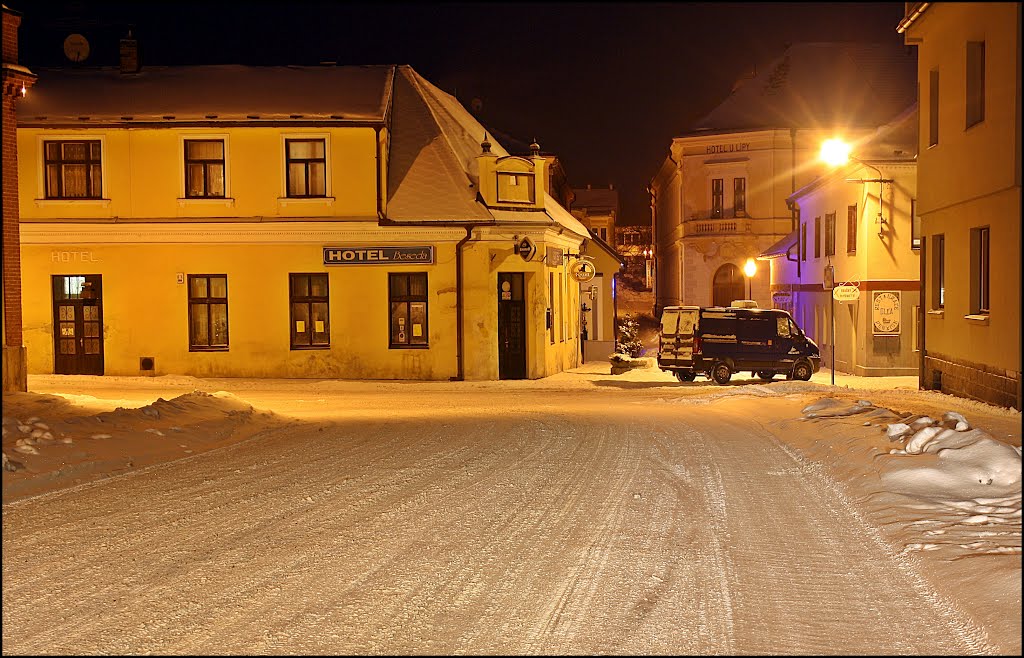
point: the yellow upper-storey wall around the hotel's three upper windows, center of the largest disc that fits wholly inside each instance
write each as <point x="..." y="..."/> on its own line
<point x="144" y="174"/>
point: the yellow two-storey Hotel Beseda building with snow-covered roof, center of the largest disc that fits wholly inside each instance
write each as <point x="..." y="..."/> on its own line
<point x="348" y="223"/>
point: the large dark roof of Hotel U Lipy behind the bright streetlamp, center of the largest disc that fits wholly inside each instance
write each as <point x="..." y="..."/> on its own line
<point x="822" y="85"/>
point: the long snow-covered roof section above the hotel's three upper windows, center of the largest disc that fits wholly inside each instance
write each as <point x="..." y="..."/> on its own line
<point x="227" y="93"/>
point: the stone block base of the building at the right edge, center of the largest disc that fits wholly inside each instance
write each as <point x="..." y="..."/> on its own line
<point x="974" y="381"/>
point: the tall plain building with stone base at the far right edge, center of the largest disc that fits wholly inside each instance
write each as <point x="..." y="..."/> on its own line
<point x="969" y="200"/>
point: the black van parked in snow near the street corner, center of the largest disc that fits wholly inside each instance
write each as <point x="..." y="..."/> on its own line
<point x="720" y="341"/>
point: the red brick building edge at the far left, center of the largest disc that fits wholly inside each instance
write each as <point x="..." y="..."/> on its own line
<point x="17" y="82"/>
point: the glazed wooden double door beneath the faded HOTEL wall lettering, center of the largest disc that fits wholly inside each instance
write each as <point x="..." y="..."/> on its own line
<point x="78" y="325"/>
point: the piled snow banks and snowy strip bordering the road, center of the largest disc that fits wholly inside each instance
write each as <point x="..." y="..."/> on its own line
<point x="940" y="475"/>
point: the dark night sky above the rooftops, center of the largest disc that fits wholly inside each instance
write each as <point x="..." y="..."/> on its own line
<point x="605" y="86"/>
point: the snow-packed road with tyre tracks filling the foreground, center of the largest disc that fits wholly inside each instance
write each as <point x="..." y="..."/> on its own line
<point x="535" y="522"/>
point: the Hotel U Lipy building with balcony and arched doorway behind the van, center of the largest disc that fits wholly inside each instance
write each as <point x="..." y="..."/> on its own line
<point x="720" y="196"/>
